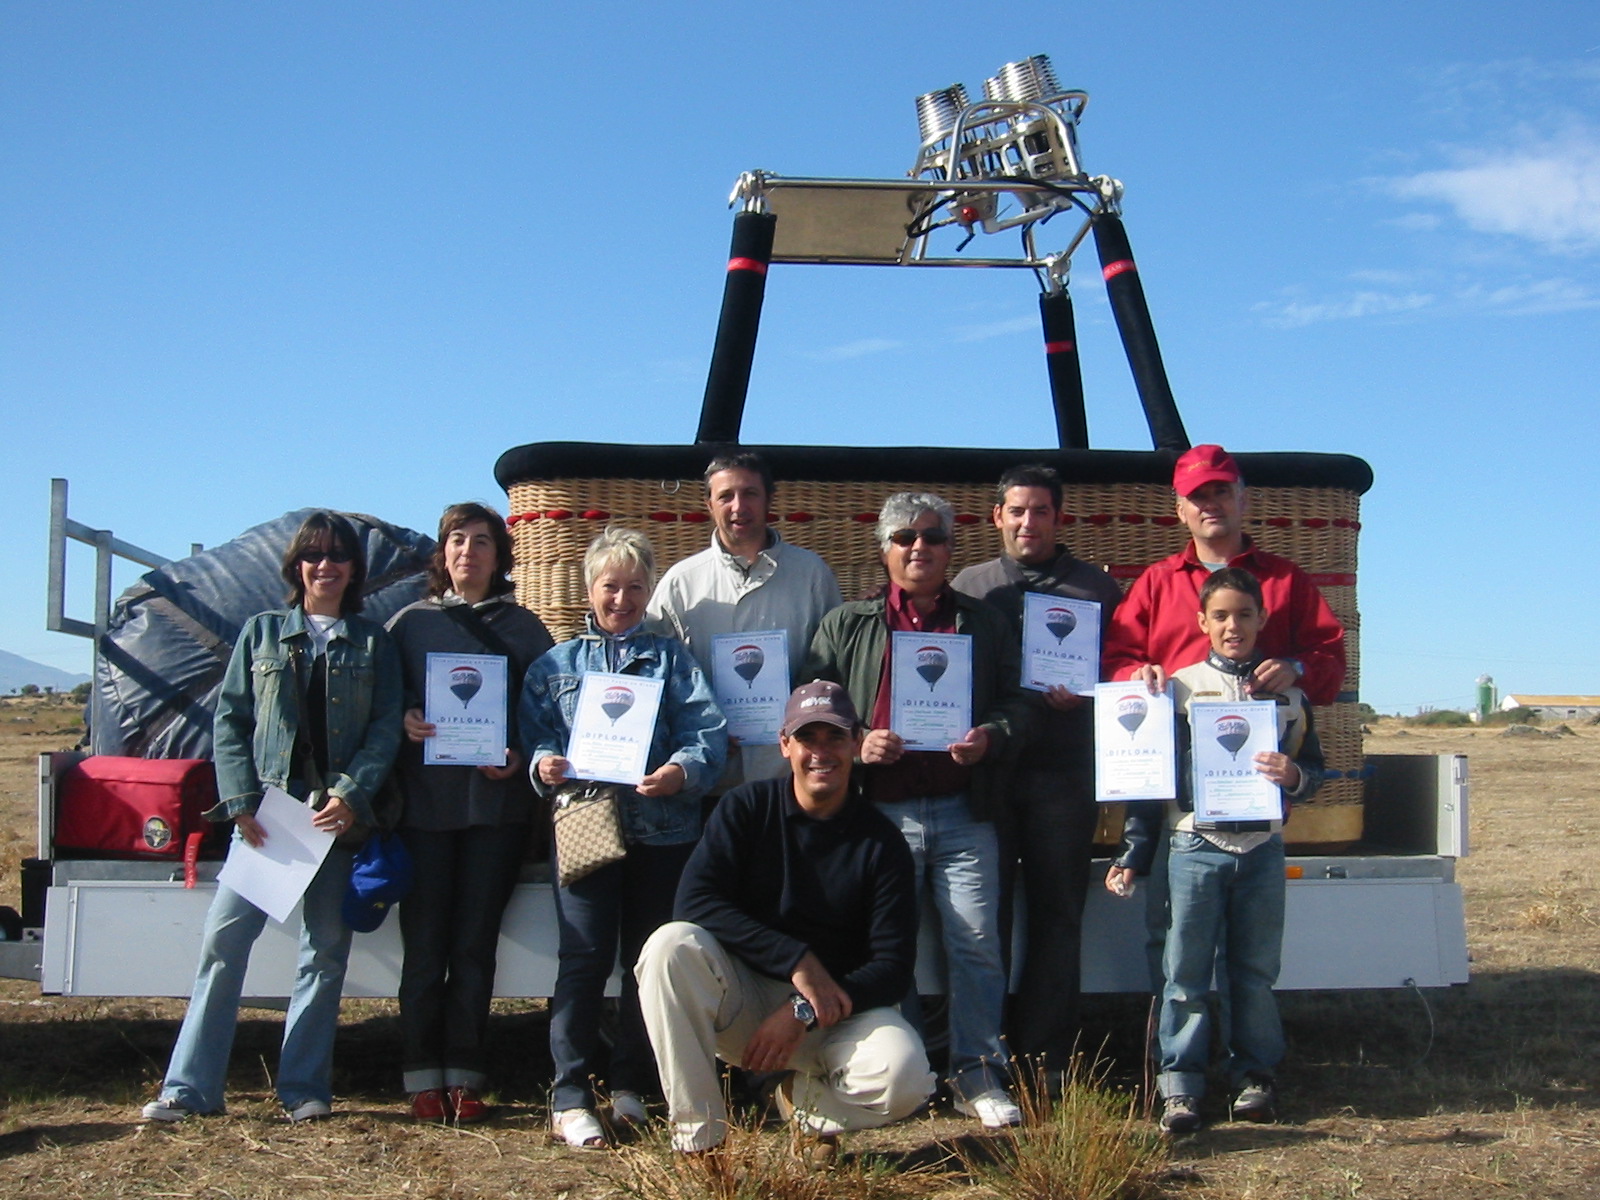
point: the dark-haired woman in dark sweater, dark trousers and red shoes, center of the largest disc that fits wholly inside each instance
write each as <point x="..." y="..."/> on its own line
<point x="468" y="828"/>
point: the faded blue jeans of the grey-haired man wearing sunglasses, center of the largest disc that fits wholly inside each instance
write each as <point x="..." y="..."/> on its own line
<point x="959" y="858"/>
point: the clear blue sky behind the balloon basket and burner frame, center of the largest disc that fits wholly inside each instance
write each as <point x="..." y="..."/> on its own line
<point x="260" y="257"/>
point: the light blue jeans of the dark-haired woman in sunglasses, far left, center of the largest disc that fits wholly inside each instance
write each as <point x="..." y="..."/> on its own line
<point x="198" y="1073"/>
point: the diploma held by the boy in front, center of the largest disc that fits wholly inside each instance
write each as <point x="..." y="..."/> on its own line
<point x="1226" y="782"/>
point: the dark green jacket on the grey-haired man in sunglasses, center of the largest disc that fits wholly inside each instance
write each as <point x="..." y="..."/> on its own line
<point x="849" y="649"/>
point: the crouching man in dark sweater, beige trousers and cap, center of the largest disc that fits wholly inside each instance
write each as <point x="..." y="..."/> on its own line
<point x="796" y="935"/>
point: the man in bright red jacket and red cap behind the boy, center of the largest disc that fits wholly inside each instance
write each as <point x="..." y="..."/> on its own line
<point x="1154" y="633"/>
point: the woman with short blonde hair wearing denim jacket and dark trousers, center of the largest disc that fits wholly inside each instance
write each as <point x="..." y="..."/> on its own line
<point x="622" y="905"/>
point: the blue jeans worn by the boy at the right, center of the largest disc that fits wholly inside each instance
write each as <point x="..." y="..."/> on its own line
<point x="1220" y="897"/>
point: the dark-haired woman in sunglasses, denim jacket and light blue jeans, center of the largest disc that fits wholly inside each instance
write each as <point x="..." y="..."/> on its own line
<point x="311" y="705"/>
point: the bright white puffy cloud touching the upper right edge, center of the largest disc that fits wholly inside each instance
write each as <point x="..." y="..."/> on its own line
<point x="1546" y="193"/>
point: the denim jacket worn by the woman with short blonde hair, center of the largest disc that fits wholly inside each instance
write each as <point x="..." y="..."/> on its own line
<point x="690" y="729"/>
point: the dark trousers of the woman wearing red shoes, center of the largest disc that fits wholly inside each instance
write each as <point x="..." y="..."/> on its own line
<point x="450" y="926"/>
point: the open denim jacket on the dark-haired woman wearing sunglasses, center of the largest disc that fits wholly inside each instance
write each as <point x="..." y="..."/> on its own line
<point x="260" y="708"/>
